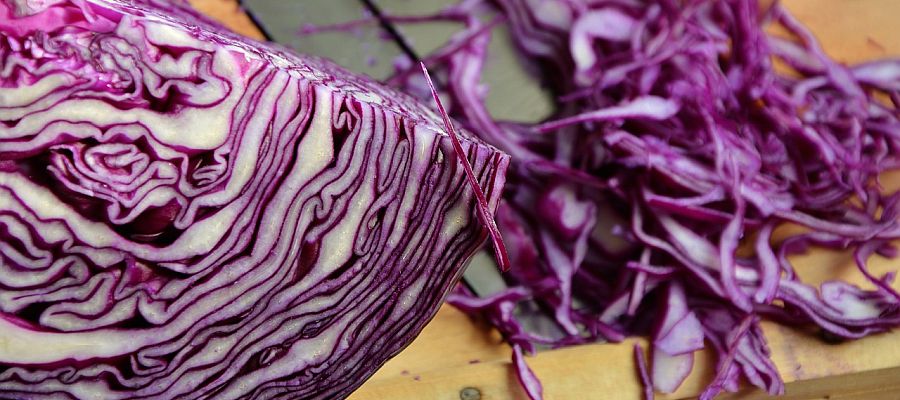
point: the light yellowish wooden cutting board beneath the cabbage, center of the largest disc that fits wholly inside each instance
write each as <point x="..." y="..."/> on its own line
<point x="458" y="358"/>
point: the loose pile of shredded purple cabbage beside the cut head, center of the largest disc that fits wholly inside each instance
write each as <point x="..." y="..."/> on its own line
<point x="685" y="134"/>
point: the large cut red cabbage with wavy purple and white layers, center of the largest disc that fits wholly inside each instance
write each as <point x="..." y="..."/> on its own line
<point x="189" y="214"/>
